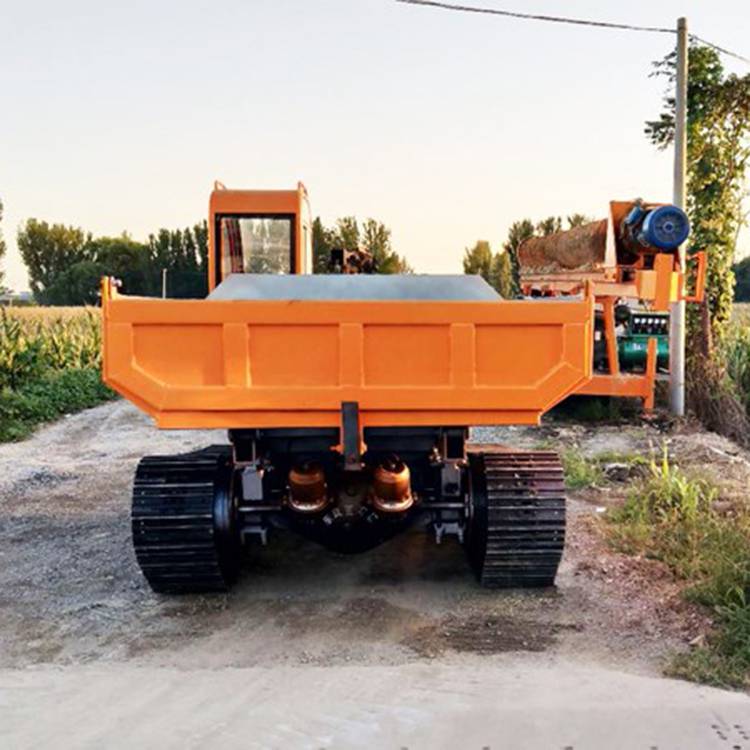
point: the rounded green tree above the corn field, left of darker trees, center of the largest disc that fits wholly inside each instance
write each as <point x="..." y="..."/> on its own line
<point x="49" y="251"/>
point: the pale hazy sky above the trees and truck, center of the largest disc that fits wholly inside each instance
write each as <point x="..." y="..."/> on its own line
<point x="446" y="126"/>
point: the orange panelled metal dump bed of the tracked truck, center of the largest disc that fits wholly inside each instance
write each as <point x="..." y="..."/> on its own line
<point x="285" y="363"/>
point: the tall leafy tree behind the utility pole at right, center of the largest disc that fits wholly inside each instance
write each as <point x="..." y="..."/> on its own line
<point x="718" y="152"/>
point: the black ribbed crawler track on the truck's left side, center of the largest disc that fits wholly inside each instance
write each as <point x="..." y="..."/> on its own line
<point x="184" y="521"/>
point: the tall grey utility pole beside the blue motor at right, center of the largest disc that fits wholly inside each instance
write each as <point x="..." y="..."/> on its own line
<point x="677" y="325"/>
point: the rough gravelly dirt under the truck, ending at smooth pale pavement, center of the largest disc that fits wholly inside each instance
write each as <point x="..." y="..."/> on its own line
<point x="71" y="592"/>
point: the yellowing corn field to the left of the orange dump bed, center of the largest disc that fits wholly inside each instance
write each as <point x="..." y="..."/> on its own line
<point x="35" y="341"/>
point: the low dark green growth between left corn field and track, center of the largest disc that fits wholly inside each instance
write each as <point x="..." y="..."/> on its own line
<point x="51" y="396"/>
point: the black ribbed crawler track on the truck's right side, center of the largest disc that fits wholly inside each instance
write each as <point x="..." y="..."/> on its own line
<point x="516" y="520"/>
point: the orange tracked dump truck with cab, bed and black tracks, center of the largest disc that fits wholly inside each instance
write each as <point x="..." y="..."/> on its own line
<point x="347" y="400"/>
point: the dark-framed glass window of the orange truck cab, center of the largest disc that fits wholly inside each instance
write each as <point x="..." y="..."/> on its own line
<point x="256" y="244"/>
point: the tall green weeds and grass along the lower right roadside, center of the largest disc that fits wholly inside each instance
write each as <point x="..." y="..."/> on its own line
<point x="670" y="516"/>
